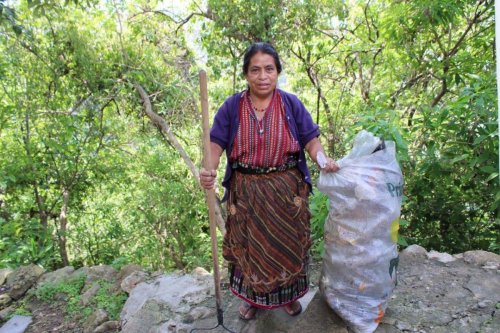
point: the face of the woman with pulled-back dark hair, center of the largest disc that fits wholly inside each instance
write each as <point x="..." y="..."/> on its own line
<point x="262" y="75"/>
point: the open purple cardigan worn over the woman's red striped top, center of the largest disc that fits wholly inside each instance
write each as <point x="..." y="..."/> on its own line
<point x="226" y="124"/>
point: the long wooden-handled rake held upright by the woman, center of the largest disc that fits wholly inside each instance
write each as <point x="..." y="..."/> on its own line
<point x="210" y="196"/>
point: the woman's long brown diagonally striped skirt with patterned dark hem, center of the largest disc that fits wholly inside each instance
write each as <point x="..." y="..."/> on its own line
<point x="268" y="237"/>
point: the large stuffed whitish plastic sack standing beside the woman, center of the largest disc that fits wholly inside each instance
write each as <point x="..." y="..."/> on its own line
<point x="360" y="255"/>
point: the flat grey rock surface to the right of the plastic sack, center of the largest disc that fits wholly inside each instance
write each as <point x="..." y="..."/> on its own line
<point x="441" y="298"/>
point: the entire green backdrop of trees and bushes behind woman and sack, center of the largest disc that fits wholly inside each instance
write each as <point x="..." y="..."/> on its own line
<point x="100" y="137"/>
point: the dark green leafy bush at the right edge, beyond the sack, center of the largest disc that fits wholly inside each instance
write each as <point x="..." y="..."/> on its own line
<point x="457" y="174"/>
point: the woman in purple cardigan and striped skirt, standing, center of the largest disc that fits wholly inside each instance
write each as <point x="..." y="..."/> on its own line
<point x="265" y="131"/>
